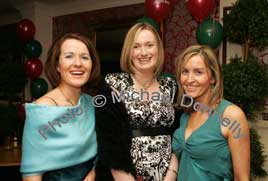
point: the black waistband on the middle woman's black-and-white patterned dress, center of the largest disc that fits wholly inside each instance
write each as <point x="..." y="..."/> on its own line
<point x="150" y="132"/>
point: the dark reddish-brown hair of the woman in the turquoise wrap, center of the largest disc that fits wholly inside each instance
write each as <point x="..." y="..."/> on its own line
<point x="53" y="59"/>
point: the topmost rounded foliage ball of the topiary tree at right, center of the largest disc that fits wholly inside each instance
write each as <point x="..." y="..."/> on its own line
<point x="247" y="25"/>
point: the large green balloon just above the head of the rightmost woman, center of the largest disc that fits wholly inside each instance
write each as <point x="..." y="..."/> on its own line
<point x="209" y="32"/>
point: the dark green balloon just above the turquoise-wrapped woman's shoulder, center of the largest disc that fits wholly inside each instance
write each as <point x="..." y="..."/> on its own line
<point x="38" y="87"/>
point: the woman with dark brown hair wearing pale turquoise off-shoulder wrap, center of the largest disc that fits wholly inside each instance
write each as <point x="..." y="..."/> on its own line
<point x="59" y="138"/>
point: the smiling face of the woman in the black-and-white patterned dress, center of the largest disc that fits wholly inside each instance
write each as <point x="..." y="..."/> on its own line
<point x="144" y="53"/>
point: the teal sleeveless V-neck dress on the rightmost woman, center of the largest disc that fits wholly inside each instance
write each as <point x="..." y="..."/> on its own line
<point x="205" y="155"/>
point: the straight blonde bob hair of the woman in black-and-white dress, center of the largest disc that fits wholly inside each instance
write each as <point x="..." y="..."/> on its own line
<point x="126" y="62"/>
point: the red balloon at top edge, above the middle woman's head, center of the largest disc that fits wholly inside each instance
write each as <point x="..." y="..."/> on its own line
<point x="157" y="9"/>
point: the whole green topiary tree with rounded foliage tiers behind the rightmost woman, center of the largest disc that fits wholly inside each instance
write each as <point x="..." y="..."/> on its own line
<point x="246" y="79"/>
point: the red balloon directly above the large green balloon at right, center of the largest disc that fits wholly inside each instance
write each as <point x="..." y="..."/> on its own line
<point x="200" y="8"/>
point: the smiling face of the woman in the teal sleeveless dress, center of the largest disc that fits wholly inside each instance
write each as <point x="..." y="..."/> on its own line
<point x="196" y="79"/>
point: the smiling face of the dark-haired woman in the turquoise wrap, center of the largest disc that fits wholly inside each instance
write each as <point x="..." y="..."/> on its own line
<point x="74" y="63"/>
